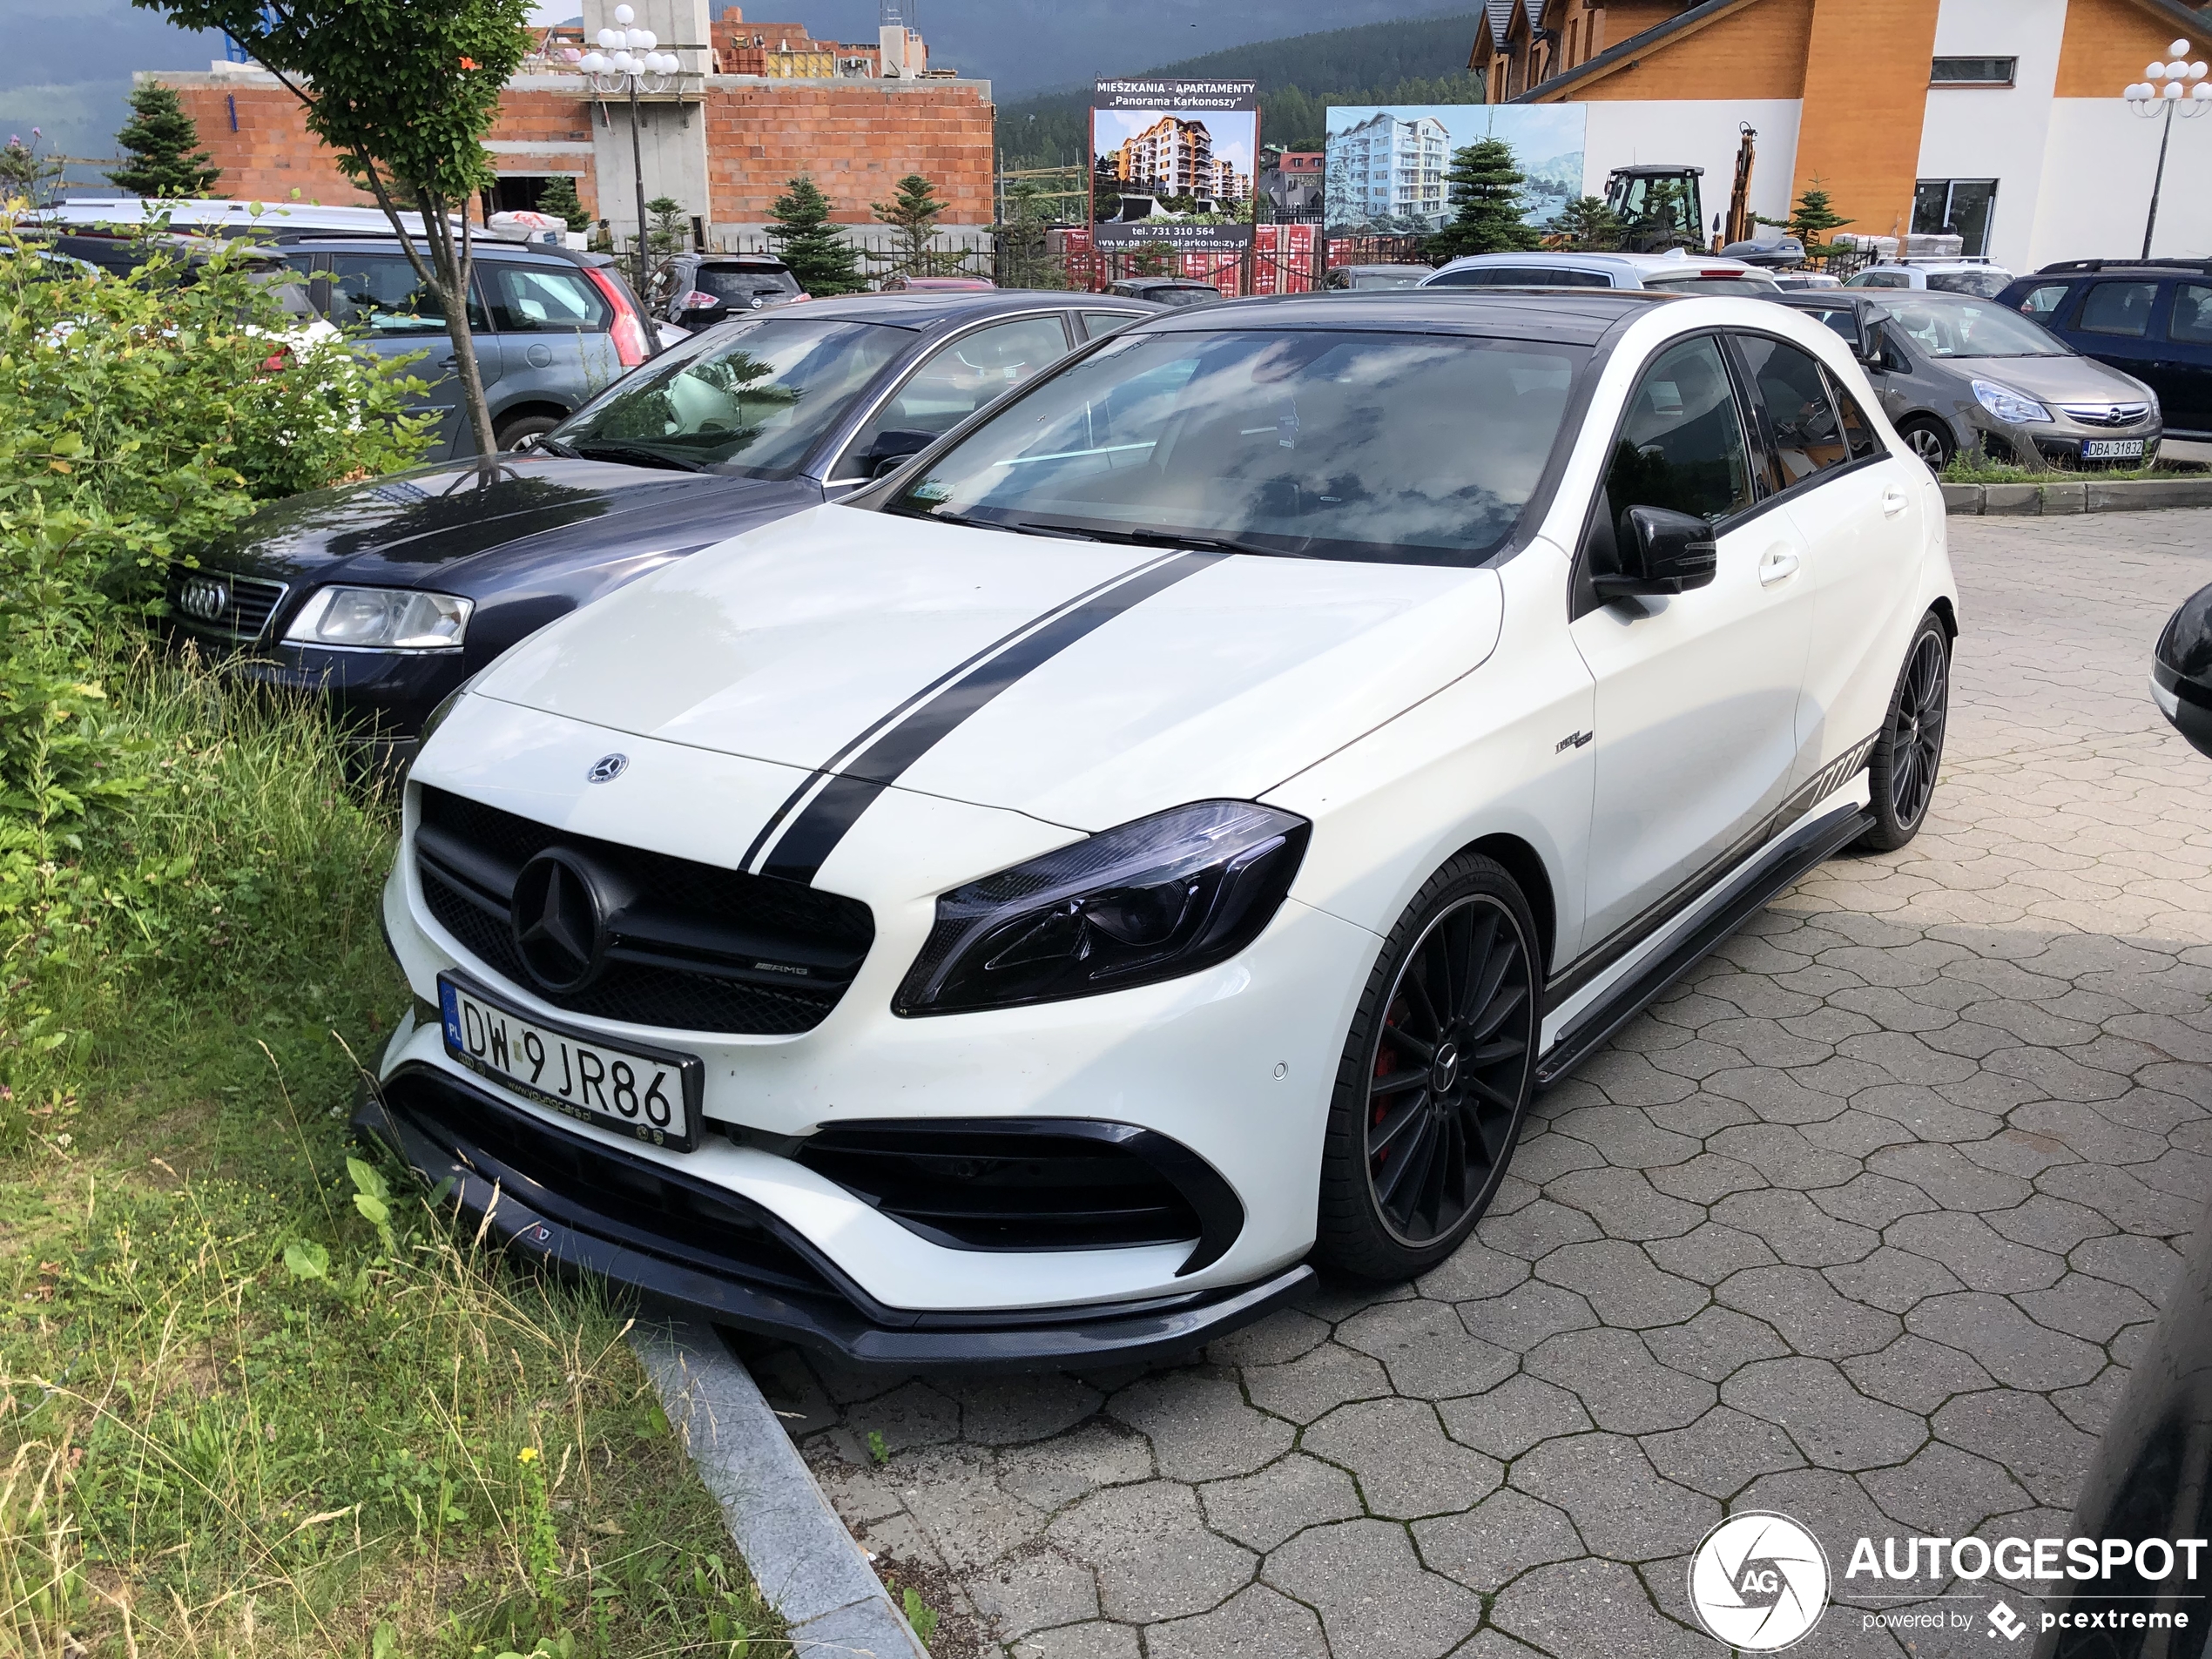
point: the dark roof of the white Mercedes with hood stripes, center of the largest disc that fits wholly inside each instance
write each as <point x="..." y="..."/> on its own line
<point x="1569" y="315"/>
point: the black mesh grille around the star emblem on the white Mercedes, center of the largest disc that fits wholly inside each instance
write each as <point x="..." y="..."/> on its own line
<point x="691" y="946"/>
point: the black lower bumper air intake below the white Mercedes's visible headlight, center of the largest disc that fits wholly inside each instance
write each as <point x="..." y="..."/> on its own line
<point x="1016" y="1185"/>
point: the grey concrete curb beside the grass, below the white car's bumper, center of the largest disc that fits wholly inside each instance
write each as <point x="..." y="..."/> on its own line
<point x="797" y="1550"/>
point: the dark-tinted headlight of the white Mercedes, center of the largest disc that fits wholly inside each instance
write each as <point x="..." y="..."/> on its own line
<point x="1149" y="901"/>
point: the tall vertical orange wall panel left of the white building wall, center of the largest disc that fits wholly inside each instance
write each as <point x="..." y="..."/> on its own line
<point x="1866" y="96"/>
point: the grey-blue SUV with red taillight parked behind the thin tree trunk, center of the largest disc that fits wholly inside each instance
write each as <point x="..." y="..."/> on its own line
<point x="554" y="328"/>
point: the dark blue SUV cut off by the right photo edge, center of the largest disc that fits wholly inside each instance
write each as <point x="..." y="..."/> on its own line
<point x="2147" y="317"/>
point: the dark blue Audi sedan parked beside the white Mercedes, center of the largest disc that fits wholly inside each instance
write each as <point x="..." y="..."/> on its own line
<point x="390" y="594"/>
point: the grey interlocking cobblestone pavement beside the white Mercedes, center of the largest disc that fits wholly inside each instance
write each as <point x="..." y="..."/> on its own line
<point x="1861" y="1224"/>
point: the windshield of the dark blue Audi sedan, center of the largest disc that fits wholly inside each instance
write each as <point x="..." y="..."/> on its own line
<point x="749" y="399"/>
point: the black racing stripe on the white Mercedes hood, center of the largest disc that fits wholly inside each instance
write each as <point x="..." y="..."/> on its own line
<point x="928" y="720"/>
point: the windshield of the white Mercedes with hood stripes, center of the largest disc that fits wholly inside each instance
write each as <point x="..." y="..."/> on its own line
<point x="1335" y="446"/>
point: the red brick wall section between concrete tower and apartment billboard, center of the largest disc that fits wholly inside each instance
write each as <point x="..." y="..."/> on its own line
<point x="857" y="140"/>
